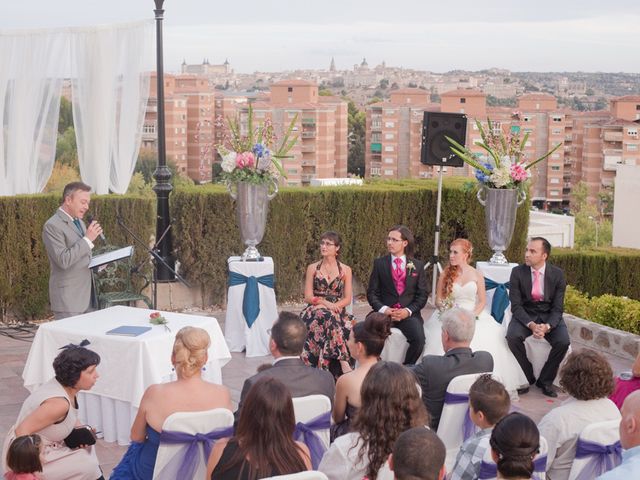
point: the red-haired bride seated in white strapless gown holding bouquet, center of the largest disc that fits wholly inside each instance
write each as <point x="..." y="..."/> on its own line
<point x="462" y="286"/>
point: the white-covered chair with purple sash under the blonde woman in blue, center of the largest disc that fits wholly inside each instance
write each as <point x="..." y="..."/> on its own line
<point x="179" y="453"/>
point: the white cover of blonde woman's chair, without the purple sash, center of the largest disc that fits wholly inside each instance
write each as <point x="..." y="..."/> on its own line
<point x="192" y="423"/>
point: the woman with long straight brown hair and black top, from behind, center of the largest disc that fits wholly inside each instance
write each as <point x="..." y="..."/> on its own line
<point x="263" y="444"/>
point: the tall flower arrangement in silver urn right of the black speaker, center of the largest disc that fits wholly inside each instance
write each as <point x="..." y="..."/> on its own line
<point x="506" y="168"/>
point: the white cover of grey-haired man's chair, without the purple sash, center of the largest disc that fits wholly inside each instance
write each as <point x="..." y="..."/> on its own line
<point x="450" y="428"/>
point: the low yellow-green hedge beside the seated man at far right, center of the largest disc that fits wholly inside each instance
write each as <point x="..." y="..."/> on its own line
<point x="616" y="312"/>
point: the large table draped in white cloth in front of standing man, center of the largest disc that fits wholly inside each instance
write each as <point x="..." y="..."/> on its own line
<point x="128" y="365"/>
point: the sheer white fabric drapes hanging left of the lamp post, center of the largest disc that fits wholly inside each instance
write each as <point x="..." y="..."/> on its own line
<point x="109" y="68"/>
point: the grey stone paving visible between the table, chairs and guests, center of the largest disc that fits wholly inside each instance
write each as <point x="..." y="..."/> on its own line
<point x="13" y="355"/>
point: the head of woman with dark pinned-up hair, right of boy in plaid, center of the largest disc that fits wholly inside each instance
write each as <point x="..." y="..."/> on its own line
<point x="515" y="441"/>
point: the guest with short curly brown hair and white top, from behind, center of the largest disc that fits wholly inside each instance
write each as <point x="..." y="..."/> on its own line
<point x="588" y="378"/>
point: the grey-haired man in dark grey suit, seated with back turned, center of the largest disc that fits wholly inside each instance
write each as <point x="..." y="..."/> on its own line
<point x="436" y="371"/>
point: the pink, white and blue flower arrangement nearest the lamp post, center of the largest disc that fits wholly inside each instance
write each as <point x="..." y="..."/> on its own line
<point x="254" y="157"/>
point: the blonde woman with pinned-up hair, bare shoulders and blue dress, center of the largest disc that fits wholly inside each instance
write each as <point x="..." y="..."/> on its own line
<point x="189" y="393"/>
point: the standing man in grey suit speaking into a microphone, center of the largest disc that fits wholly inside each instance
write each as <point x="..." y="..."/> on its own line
<point x="68" y="242"/>
